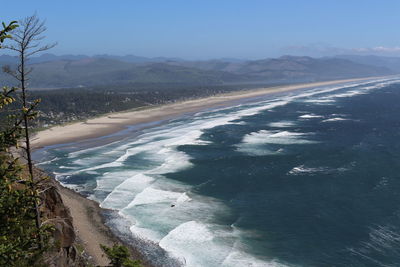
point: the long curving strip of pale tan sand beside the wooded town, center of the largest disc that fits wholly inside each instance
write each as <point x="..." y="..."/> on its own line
<point x="114" y="122"/>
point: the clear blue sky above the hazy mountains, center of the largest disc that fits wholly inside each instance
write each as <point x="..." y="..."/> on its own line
<point x="202" y="29"/>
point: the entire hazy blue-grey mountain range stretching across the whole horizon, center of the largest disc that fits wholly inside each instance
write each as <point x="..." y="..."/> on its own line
<point x="51" y="71"/>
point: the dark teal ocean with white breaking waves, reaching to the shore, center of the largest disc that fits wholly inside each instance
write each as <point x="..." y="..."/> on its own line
<point x="306" y="178"/>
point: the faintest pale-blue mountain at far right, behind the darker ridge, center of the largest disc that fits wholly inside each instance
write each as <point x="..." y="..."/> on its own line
<point x="392" y="63"/>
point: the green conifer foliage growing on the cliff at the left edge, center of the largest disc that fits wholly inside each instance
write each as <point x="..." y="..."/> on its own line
<point x="19" y="232"/>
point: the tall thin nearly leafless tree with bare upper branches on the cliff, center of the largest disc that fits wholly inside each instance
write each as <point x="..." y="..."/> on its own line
<point x="27" y="42"/>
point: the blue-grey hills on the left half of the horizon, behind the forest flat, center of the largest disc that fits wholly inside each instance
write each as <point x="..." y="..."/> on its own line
<point x="101" y="71"/>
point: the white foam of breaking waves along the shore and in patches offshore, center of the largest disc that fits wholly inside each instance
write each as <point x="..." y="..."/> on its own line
<point x="169" y="212"/>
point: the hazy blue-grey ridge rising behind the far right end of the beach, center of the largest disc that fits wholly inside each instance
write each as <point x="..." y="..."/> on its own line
<point x="291" y="68"/>
